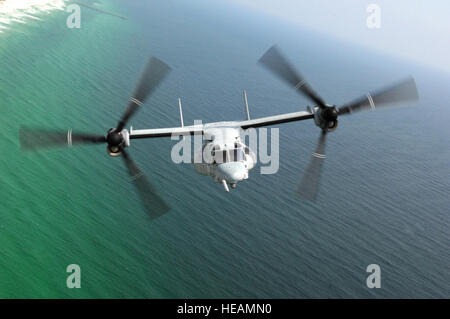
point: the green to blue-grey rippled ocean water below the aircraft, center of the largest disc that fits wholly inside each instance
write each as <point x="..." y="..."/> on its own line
<point x="384" y="197"/>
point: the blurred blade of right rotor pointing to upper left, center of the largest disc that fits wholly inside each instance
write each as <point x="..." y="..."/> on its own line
<point x="274" y="61"/>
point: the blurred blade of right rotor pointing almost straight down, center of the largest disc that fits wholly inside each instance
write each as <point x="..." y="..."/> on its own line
<point x="309" y="184"/>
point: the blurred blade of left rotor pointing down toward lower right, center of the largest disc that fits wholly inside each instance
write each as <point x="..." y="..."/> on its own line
<point x="154" y="204"/>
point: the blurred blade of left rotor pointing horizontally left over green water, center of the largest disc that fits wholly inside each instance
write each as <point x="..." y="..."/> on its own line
<point x="35" y="139"/>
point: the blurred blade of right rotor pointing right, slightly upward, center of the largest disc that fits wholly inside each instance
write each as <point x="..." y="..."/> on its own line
<point x="403" y="91"/>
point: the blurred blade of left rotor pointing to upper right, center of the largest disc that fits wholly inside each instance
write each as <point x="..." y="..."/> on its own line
<point x="152" y="75"/>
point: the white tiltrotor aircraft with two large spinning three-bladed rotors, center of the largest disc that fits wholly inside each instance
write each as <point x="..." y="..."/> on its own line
<point x="232" y="159"/>
